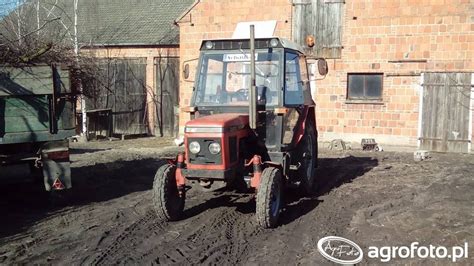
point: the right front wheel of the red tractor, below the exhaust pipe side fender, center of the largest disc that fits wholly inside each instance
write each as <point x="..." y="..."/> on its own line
<point x="269" y="197"/>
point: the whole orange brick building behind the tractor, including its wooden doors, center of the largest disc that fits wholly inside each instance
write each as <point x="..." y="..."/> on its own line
<point x="400" y="71"/>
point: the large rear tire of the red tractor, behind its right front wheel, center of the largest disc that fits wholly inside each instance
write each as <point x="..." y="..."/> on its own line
<point x="309" y="155"/>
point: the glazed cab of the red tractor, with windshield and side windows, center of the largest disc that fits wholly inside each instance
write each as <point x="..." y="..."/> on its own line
<point x="223" y="83"/>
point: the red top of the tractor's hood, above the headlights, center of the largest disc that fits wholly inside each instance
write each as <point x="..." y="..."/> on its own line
<point x="217" y="123"/>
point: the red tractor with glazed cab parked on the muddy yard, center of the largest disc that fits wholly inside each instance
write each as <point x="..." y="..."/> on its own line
<point x="252" y="121"/>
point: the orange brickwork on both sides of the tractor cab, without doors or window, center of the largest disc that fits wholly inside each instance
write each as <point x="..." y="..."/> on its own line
<point x="374" y="33"/>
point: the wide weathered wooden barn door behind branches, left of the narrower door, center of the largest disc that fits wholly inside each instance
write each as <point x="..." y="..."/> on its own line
<point x="120" y="86"/>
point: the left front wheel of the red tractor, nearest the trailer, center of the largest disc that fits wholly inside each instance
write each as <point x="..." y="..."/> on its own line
<point x="167" y="201"/>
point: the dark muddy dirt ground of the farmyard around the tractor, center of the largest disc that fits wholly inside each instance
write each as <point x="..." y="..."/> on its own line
<point x="372" y="198"/>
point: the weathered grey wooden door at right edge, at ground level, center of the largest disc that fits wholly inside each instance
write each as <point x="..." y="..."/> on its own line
<point x="445" y="112"/>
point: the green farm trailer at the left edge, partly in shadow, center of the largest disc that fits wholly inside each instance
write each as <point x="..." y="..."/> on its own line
<point x="37" y="115"/>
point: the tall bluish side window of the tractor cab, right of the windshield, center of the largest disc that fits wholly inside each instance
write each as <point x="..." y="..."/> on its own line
<point x="293" y="82"/>
